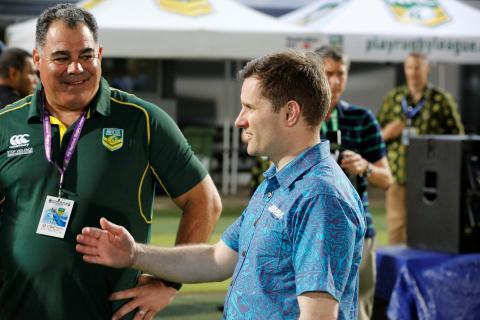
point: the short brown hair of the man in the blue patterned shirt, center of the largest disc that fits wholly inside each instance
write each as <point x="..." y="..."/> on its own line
<point x="291" y="75"/>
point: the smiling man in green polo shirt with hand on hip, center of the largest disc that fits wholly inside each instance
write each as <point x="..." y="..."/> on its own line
<point x="77" y="150"/>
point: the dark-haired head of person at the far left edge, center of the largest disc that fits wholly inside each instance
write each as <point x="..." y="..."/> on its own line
<point x="18" y="75"/>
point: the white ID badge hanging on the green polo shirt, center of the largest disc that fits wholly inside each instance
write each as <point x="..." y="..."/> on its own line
<point x="55" y="216"/>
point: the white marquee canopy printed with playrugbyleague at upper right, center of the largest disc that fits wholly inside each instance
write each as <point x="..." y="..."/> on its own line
<point x="386" y="30"/>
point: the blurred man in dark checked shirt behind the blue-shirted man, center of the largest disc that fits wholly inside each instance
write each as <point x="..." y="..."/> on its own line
<point x="354" y="132"/>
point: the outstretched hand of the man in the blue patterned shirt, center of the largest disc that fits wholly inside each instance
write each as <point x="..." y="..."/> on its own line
<point x="111" y="245"/>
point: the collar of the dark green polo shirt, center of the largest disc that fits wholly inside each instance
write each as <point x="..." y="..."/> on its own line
<point x="100" y="103"/>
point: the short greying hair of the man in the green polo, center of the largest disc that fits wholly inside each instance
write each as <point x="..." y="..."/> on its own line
<point x="68" y="13"/>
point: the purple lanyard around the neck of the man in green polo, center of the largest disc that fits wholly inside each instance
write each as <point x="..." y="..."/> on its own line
<point x="72" y="145"/>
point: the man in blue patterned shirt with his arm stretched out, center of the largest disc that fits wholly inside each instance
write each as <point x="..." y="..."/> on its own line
<point x="296" y="249"/>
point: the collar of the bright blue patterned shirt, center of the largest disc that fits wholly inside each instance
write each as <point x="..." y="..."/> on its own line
<point x="298" y="166"/>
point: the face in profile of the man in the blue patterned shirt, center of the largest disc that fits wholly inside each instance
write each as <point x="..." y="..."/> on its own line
<point x="261" y="125"/>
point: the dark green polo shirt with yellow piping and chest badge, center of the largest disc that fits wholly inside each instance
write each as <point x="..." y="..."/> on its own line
<point x="126" y="145"/>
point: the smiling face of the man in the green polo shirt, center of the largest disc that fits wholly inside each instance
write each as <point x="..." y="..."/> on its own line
<point x="70" y="66"/>
